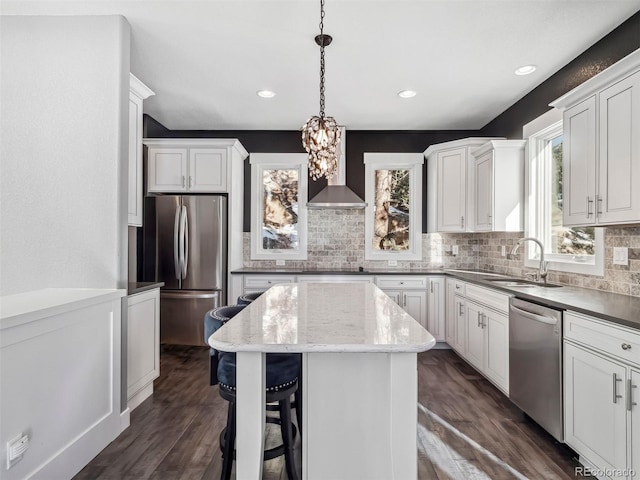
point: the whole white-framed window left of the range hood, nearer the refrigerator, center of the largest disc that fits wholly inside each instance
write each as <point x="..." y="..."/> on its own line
<point x="279" y="212"/>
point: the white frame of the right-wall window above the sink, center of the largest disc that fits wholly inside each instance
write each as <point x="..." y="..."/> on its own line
<point x="538" y="133"/>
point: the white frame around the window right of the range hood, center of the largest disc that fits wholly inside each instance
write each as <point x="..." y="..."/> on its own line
<point x="395" y="161"/>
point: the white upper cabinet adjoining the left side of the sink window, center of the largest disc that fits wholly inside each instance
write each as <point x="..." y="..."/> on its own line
<point x="497" y="190"/>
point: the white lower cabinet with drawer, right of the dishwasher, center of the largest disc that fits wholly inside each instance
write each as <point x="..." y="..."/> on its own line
<point x="601" y="381"/>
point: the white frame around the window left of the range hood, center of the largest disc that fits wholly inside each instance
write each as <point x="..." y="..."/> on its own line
<point x="273" y="161"/>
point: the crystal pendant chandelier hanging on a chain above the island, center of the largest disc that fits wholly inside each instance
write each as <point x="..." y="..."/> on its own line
<point x="321" y="134"/>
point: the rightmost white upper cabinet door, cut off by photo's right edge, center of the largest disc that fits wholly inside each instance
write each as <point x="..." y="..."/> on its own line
<point x="619" y="134"/>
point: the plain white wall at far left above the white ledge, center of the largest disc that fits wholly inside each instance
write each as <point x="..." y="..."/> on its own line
<point x="64" y="86"/>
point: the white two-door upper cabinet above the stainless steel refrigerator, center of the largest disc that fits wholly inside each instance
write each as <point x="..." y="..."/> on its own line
<point x="190" y="165"/>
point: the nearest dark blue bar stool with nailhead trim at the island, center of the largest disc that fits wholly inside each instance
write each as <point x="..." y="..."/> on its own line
<point x="281" y="382"/>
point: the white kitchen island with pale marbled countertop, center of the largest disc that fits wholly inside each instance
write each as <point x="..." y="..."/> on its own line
<point x="359" y="351"/>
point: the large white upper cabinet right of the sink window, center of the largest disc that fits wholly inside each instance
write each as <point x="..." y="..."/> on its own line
<point x="601" y="122"/>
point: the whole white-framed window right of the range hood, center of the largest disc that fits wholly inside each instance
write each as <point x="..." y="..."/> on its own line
<point x="393" y="217"/>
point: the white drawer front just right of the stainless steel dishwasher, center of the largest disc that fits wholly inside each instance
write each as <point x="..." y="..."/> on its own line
<point x="616" y="340"/>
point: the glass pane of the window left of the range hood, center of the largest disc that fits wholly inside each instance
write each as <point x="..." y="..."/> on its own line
<point x="280" y="202"/>
